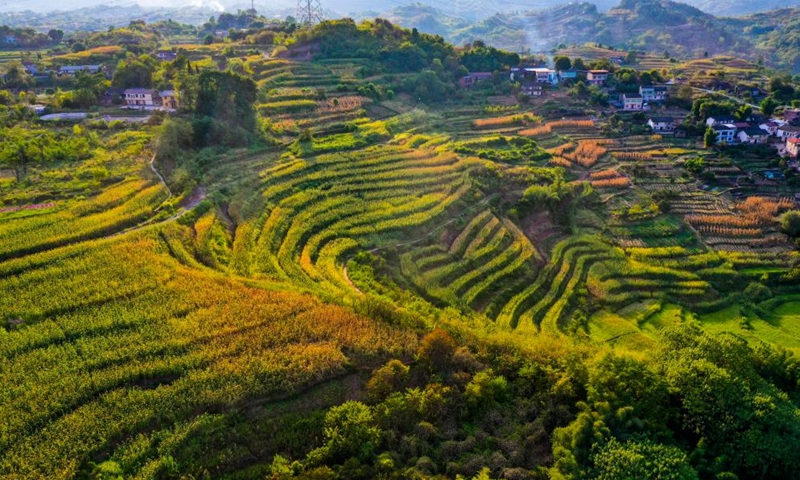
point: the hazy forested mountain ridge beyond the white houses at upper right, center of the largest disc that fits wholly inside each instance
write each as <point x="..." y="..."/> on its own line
<point x="658" y="26"/>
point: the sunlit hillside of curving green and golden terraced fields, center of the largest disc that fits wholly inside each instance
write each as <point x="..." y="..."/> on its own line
<point x="334" y="260"/>
